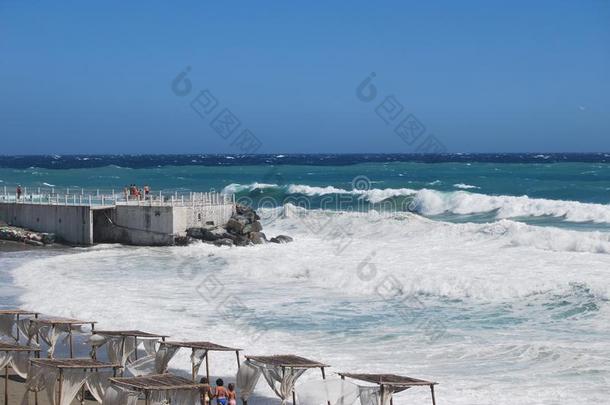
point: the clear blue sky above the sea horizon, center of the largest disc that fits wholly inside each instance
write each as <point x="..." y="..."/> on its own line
<point x="481" y="76"/>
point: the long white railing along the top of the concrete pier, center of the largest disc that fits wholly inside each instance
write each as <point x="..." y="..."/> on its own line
<point x="74" y="196"/>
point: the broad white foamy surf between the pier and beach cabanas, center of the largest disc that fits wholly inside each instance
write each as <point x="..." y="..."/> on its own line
<point x="503" y="313"/>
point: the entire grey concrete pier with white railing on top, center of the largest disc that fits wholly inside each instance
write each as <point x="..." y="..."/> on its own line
<point x="88" y="219"/>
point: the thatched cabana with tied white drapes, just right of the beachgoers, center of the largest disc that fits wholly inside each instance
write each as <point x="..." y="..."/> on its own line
<point x="280" y="371"/>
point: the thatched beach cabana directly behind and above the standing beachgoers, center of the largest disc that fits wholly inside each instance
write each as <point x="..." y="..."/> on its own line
<point x="199" y="353"/>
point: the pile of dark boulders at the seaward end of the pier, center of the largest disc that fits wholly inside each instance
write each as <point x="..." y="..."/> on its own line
<point x="243" y="228"/>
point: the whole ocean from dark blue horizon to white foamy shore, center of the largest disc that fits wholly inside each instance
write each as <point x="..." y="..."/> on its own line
<point x="486" y="273"/>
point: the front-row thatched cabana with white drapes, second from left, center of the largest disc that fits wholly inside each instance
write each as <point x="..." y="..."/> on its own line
<point x="71" y="376"/>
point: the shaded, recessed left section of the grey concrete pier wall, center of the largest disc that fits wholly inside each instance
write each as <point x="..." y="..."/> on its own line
<point x="70" y="223"/>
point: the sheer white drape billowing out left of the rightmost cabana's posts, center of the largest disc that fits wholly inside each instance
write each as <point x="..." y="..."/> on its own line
<point x="334" y="392"/>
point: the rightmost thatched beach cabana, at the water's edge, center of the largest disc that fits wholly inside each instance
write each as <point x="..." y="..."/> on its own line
<point x="386" y="386"/>
